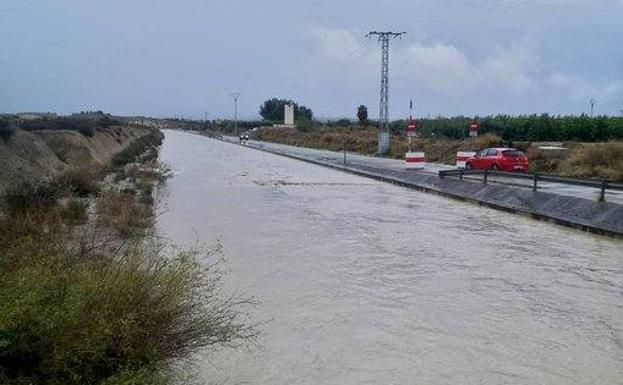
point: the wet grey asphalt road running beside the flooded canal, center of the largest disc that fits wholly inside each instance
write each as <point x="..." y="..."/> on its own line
<point x="335" y="157"/>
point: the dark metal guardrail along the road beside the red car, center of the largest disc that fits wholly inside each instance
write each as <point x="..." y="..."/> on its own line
<point x="602" y="185"/>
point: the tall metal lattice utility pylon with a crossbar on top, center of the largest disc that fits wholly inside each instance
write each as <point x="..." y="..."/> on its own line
<point x="384" y="38"/>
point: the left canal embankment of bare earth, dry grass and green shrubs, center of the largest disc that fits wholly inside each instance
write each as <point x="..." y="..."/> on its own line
<point x="78" y="252"/>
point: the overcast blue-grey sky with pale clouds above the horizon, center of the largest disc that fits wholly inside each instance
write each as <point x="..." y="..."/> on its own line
<point x="184" y="57"/>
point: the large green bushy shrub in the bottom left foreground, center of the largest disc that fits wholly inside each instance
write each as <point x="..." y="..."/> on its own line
<point x="79" y="319"/>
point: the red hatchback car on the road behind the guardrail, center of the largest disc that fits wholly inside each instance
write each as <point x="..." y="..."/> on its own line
<point x="504" y="159"/>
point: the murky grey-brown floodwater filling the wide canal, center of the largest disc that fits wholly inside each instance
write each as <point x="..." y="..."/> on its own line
<point x="361" y="282"/>
